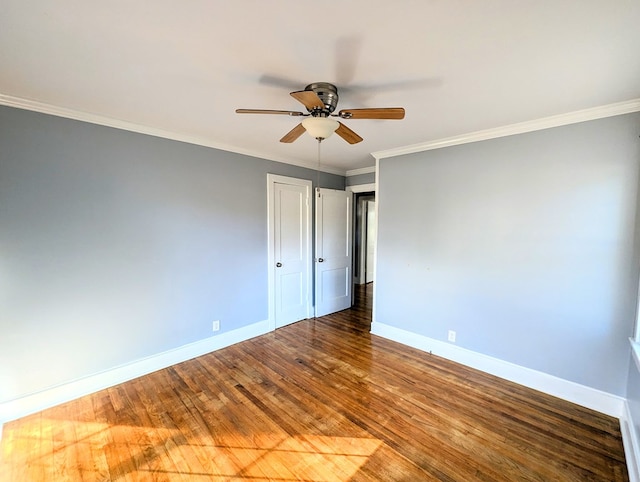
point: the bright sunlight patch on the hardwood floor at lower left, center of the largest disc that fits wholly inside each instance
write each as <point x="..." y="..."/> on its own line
<point x="49" y="449"/>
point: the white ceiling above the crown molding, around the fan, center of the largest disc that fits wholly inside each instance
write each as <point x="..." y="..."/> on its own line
<point x="457" y="66"/>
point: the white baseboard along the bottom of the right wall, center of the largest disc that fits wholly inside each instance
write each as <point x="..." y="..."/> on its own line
<point x="573" y="392"/>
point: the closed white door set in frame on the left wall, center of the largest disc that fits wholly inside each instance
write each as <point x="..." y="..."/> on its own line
<point x="291" y="257"/>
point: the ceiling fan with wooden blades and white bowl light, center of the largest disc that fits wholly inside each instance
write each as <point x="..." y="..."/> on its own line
<point x="321" y="100"/>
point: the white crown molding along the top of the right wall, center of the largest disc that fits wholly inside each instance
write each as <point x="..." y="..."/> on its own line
<point x="520" y="128"/>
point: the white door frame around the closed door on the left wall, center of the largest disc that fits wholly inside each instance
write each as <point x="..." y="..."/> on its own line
<point x="272" y="179"/>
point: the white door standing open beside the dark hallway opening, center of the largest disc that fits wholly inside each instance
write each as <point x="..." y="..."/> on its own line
<point x="333" y="251"/>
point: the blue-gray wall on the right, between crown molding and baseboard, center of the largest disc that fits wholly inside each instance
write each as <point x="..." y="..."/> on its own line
<point x="524" y="245"/>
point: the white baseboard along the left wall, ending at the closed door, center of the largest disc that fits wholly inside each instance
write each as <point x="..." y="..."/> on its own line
<point x="35" y="402"/>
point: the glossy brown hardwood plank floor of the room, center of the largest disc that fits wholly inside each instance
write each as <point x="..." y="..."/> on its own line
<point x="319" y="400"/>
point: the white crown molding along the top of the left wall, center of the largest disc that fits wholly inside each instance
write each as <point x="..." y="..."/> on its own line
<point x="43" y="108"/>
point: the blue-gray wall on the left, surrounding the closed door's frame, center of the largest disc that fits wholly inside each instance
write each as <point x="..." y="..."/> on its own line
<point x="116" y="246"/>
